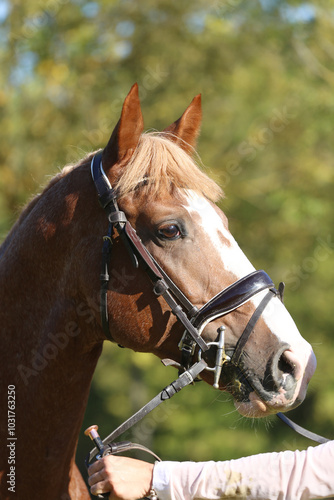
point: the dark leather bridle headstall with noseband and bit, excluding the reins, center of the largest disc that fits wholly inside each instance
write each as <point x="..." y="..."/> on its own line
<point x="192" y="318"/>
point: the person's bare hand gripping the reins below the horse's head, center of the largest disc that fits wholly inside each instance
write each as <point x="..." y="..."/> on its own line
<point x="125" y="478"/>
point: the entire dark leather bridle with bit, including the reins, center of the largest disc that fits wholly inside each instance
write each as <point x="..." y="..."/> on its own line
<point x="193" y="319"/>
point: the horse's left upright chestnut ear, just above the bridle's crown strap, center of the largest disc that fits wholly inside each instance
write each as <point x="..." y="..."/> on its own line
<point x="125" y="137"/>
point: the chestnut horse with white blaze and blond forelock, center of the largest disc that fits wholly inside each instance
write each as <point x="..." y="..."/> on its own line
<point x="51" y="327"/>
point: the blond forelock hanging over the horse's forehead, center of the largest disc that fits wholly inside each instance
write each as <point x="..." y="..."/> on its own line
<point x="159" y="165"/>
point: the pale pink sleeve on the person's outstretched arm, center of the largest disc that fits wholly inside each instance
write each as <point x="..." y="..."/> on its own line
<point x="285" y="476"/>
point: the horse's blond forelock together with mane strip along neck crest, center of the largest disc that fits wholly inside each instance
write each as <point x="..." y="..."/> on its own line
<point x="157" y="166"/>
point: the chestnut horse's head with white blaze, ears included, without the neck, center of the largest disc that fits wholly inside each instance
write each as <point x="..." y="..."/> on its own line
<point x="170" y="203"/>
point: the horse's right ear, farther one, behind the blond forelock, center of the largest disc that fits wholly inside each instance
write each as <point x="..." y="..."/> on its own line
<point x="185" y="130"/>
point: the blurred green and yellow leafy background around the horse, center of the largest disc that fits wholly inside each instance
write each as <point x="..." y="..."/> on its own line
<point x="266" y="73"/>
